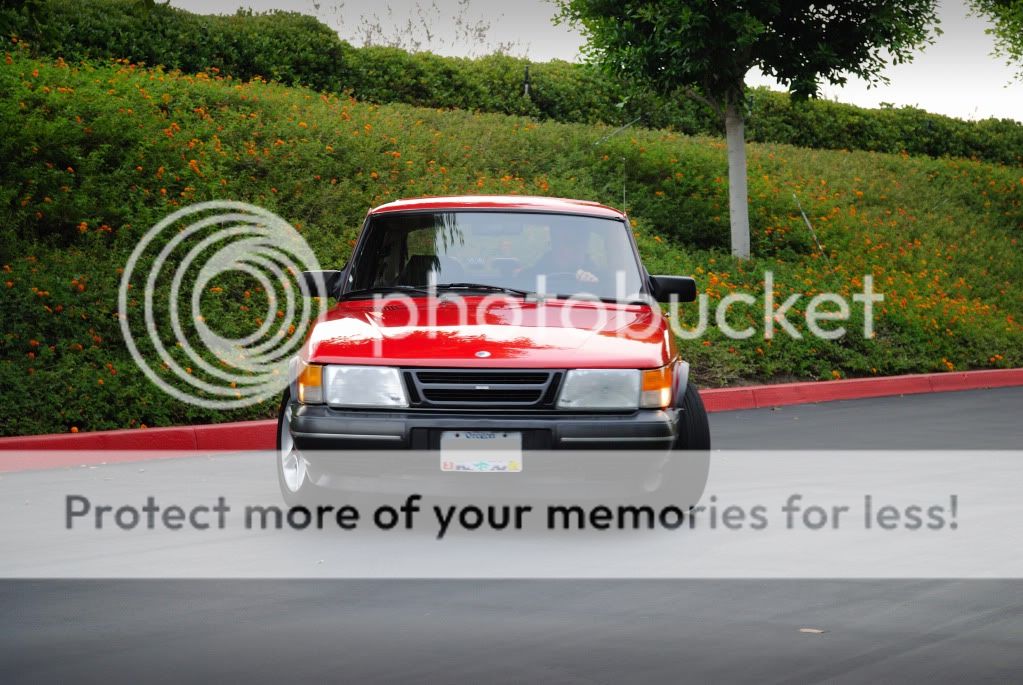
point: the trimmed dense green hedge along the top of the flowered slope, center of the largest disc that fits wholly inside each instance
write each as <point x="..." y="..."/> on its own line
<point x="300" y="51"/>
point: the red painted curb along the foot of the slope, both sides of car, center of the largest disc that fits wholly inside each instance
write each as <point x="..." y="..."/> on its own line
<point x="187" y="440"/>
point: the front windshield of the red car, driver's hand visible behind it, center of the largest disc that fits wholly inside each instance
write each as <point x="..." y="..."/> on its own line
<point x="553" y="254"/>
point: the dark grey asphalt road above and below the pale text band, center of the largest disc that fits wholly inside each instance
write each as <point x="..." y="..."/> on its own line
<point x="558" y="631"/>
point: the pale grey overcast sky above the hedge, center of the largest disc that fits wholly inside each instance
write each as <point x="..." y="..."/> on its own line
<point x="957" y="76"/>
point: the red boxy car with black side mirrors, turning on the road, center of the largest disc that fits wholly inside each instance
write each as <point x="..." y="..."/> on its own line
<point x="472" y="332"/>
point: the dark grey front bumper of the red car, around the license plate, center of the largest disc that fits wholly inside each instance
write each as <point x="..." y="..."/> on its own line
<point x="394" y="452"/>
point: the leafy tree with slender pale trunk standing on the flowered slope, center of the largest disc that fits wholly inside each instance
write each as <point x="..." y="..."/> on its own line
<point x="705" y="49"/>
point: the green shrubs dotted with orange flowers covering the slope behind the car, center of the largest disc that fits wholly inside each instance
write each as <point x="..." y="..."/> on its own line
<point x="93" y="156"/>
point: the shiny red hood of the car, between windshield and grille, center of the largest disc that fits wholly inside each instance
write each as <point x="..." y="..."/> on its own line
<point x="492" y="333"/>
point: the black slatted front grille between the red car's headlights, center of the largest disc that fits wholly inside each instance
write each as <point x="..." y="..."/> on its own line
<point x="482" y="389"/>
